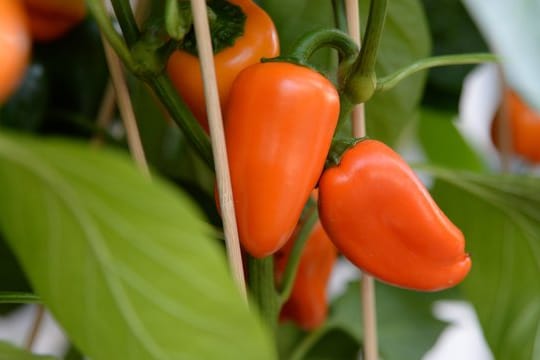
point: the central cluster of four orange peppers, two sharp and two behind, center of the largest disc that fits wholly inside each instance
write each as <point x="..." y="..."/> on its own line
<point x="280" y="117"/>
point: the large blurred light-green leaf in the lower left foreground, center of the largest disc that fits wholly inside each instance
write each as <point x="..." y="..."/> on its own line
<point x="126" y="265"/>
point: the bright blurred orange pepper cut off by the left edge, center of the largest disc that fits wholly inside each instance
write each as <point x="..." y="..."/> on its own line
<point x="15" y="45"/>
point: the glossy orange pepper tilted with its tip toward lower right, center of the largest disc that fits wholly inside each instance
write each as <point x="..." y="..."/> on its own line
<point x="380" y="216"/>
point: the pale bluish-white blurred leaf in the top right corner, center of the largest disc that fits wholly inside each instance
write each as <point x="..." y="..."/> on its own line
<point x="511" y="29"/>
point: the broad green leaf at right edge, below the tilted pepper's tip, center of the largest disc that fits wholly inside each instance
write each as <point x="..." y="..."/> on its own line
<point x="500" y="217"/>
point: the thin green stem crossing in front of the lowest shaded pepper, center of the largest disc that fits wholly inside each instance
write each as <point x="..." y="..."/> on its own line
<point x="293" y="262"/>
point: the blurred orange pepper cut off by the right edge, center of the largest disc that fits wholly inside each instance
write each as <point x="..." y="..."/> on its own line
<point x="524" y="126"/>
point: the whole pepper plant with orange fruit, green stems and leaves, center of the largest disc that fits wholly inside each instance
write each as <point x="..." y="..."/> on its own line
<point x="132" y="264"/>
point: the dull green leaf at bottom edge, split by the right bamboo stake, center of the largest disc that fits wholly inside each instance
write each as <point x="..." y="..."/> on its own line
<point x="407" y="328"/>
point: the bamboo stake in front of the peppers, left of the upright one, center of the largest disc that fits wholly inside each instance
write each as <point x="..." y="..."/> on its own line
<point x="219" y="149"/>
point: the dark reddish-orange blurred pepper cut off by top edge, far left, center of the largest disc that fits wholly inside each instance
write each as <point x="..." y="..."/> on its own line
<point x="51" y="19"/>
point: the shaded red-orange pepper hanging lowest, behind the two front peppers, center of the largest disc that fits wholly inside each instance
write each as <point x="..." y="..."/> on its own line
<point x="308" y="305"/>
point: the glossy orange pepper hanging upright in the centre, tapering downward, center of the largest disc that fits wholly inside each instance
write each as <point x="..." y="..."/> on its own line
<point x="279" y="123"/>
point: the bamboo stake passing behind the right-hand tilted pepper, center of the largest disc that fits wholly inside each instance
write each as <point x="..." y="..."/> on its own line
<point x="367" y="288"/>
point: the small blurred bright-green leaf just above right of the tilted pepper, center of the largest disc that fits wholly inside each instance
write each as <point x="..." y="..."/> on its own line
<point x="443" y="144"/>
